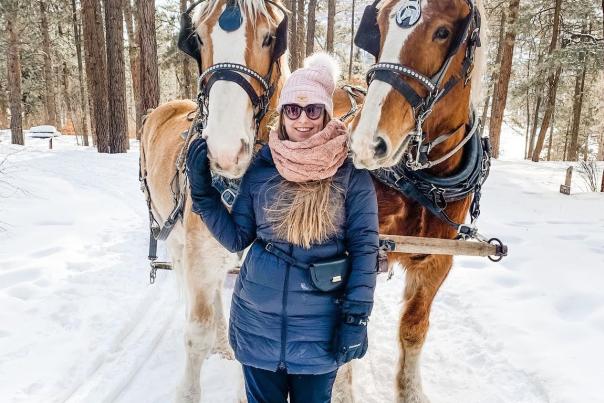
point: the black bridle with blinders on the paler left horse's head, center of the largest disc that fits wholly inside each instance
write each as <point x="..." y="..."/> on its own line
<point x="230" y="20"/>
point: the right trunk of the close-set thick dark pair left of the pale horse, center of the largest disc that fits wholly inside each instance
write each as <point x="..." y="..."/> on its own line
<point x="116" y="86"/>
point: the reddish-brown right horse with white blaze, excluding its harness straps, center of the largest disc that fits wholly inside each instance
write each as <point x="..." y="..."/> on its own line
<point x="418" y="35"/>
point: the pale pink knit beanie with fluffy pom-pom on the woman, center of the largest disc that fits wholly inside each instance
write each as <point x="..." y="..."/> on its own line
<point x="312" y="84"/>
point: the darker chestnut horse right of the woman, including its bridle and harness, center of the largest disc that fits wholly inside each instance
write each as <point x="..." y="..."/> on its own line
<point x="418" y="130"/>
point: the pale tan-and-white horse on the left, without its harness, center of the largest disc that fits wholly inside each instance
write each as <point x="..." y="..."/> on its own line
<point x="232" y="128"/>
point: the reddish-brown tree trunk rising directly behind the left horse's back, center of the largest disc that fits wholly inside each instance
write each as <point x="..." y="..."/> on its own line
<point x="149" y="74"/>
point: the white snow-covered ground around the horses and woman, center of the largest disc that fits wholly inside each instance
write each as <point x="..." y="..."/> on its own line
<point x="79" y="321"/>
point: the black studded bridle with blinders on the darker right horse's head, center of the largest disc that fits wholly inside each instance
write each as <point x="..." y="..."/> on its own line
<point x="368" y="38"/>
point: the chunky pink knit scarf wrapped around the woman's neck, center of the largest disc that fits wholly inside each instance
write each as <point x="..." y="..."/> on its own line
<point x="315" y="158"/>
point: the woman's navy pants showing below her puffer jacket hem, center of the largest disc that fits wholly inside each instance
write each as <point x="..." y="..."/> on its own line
<point x="264" y="386"/>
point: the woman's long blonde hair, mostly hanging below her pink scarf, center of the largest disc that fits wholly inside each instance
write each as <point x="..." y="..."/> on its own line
<point x="306" y="213"/>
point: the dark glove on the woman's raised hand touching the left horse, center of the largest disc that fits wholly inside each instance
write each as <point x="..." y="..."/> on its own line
<point x="198" y="169"/>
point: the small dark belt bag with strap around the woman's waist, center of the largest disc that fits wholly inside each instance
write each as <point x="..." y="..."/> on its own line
<point x="326" y="275"/>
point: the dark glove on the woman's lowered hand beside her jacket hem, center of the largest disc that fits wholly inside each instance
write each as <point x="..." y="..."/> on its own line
<point x="351" y="338"/>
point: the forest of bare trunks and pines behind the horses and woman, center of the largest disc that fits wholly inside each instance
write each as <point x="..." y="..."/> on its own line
<point x="545" y="77"/>
